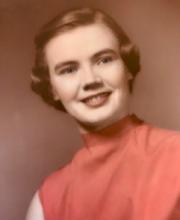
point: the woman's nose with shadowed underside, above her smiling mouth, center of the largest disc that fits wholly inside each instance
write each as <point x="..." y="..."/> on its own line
<point x="90" y="79"/>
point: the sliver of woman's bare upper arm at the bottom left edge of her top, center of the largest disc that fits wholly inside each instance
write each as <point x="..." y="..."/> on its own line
<point x="35" y="211"/>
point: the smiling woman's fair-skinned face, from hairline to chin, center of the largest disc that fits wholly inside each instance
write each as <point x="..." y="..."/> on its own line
<point x="88" y="75"/>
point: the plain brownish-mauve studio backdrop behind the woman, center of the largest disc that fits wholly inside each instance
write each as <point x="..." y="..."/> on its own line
<point x="36" y="139"/>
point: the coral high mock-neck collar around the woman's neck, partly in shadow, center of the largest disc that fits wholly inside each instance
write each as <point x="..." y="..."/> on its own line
<point x="112" y="131"/>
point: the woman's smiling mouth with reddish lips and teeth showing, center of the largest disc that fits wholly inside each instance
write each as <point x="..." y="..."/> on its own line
<point x="96" y="100"/>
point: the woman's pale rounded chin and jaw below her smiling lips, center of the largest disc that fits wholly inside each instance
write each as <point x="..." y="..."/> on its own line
<point x="101" y="117"/>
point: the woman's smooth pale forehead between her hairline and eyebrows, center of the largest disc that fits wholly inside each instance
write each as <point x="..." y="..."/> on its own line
<point x="81" y="42"/>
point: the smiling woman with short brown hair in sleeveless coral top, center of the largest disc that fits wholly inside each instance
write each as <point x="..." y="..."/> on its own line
<point x="85" y="65"/>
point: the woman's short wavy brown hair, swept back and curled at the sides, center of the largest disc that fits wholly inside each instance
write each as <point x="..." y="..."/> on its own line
<point x="70" y="20"/>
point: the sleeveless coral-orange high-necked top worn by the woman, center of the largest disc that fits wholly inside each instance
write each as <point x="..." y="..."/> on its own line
<point x="127" y="171"/>
